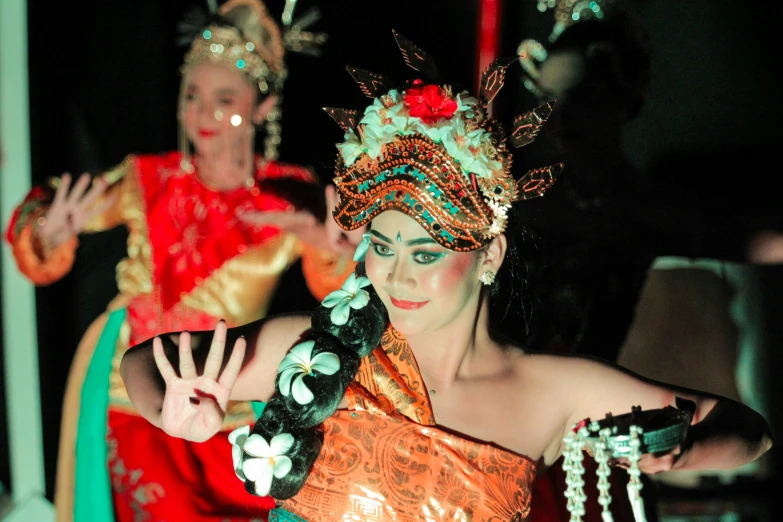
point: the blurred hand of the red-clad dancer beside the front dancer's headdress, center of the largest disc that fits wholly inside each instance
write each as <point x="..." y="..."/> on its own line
<point x="326" y="236"/>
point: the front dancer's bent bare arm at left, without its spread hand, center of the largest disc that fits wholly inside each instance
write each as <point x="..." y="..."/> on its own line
<point x="268" y="341"/>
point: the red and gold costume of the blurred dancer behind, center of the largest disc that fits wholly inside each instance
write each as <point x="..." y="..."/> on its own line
<point x="191" y="261"/>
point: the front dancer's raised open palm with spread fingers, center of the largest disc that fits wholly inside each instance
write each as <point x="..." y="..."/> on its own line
<point x="195" y="405"/>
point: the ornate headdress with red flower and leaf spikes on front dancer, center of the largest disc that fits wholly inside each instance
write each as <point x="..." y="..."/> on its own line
<point x="435" y="155"/>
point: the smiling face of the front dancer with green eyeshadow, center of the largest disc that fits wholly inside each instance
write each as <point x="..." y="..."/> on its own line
<point x="423" y="285"/>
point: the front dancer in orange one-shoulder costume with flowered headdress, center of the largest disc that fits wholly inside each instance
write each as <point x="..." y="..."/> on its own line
<point x="394" y="400"/>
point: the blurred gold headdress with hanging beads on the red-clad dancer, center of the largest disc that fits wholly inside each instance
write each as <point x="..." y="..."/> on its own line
<point x="249" y="40"/>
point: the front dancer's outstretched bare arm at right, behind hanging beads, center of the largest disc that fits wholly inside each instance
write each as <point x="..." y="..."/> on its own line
<point x="723" y="434"/>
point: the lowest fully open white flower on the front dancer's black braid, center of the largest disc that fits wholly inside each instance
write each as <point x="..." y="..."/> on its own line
<point x="267" y="460"/>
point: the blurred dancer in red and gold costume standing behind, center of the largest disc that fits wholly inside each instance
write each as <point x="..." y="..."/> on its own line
<point x="197" y="253"/>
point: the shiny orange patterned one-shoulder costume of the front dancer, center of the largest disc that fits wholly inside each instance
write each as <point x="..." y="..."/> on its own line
<point x="384" y="457"/>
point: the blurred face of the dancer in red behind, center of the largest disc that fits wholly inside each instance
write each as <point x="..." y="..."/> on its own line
<point x="218" y="108"/>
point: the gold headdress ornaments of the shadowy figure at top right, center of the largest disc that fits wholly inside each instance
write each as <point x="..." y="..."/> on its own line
<point x="567" y="12"/>
